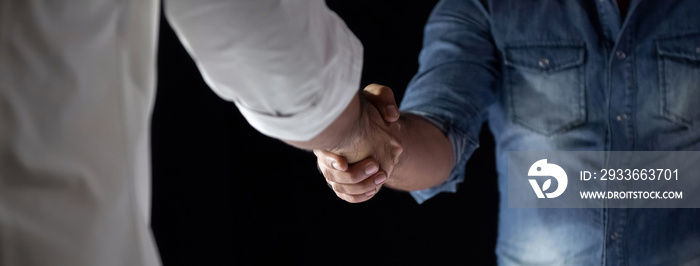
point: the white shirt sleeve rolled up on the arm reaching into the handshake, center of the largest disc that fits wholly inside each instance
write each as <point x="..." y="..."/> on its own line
<point x="291" y="67"/>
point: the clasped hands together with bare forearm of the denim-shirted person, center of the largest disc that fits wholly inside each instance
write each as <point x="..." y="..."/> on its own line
<point x="374" y="146"/>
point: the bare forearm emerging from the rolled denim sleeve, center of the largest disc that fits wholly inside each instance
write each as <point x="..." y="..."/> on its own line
<point x="427" y="158"/>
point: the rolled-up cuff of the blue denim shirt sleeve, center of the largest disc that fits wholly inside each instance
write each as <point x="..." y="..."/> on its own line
<point x="462" y="147"/>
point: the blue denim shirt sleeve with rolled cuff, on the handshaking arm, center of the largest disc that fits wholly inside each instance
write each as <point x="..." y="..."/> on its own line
<point x="455" y="82"/>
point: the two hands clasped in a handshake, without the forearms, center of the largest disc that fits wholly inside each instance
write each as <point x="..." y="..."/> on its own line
<point x="374" y="148"/>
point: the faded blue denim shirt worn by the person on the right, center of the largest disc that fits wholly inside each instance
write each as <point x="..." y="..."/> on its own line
<point x="567" y="75"/>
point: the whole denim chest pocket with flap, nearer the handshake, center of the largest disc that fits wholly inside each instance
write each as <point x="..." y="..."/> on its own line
<point x="545" y="85"/>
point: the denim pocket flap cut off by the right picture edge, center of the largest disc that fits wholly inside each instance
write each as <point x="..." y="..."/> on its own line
<point x="684" y="46"/>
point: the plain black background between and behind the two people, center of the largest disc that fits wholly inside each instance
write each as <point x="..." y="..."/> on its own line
<point x="224" y="194"/>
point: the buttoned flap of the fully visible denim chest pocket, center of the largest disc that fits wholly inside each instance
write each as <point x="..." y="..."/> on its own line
<point x="545" y="57"/>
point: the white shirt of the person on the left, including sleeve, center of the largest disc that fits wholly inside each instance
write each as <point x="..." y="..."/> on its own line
<point x="76" y="94"/>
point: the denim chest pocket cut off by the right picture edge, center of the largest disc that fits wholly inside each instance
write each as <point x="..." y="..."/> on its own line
<point x="679" y="78"/>
